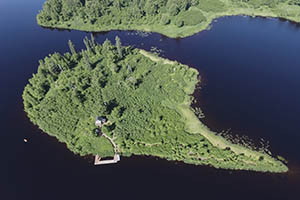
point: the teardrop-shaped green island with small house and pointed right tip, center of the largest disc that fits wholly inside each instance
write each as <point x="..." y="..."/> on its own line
<point x="110" y="100"/>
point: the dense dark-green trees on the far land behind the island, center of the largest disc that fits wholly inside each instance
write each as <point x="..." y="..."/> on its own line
<point x="116" y="12"/>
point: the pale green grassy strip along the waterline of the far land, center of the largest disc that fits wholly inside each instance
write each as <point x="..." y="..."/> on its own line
<point x="171" y="30"/>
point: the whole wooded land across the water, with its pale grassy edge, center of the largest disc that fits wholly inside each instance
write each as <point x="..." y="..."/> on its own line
<point x="173" y="18"/>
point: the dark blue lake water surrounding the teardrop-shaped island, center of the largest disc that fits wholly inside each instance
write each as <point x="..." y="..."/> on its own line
<point x="250" y="70"/>
